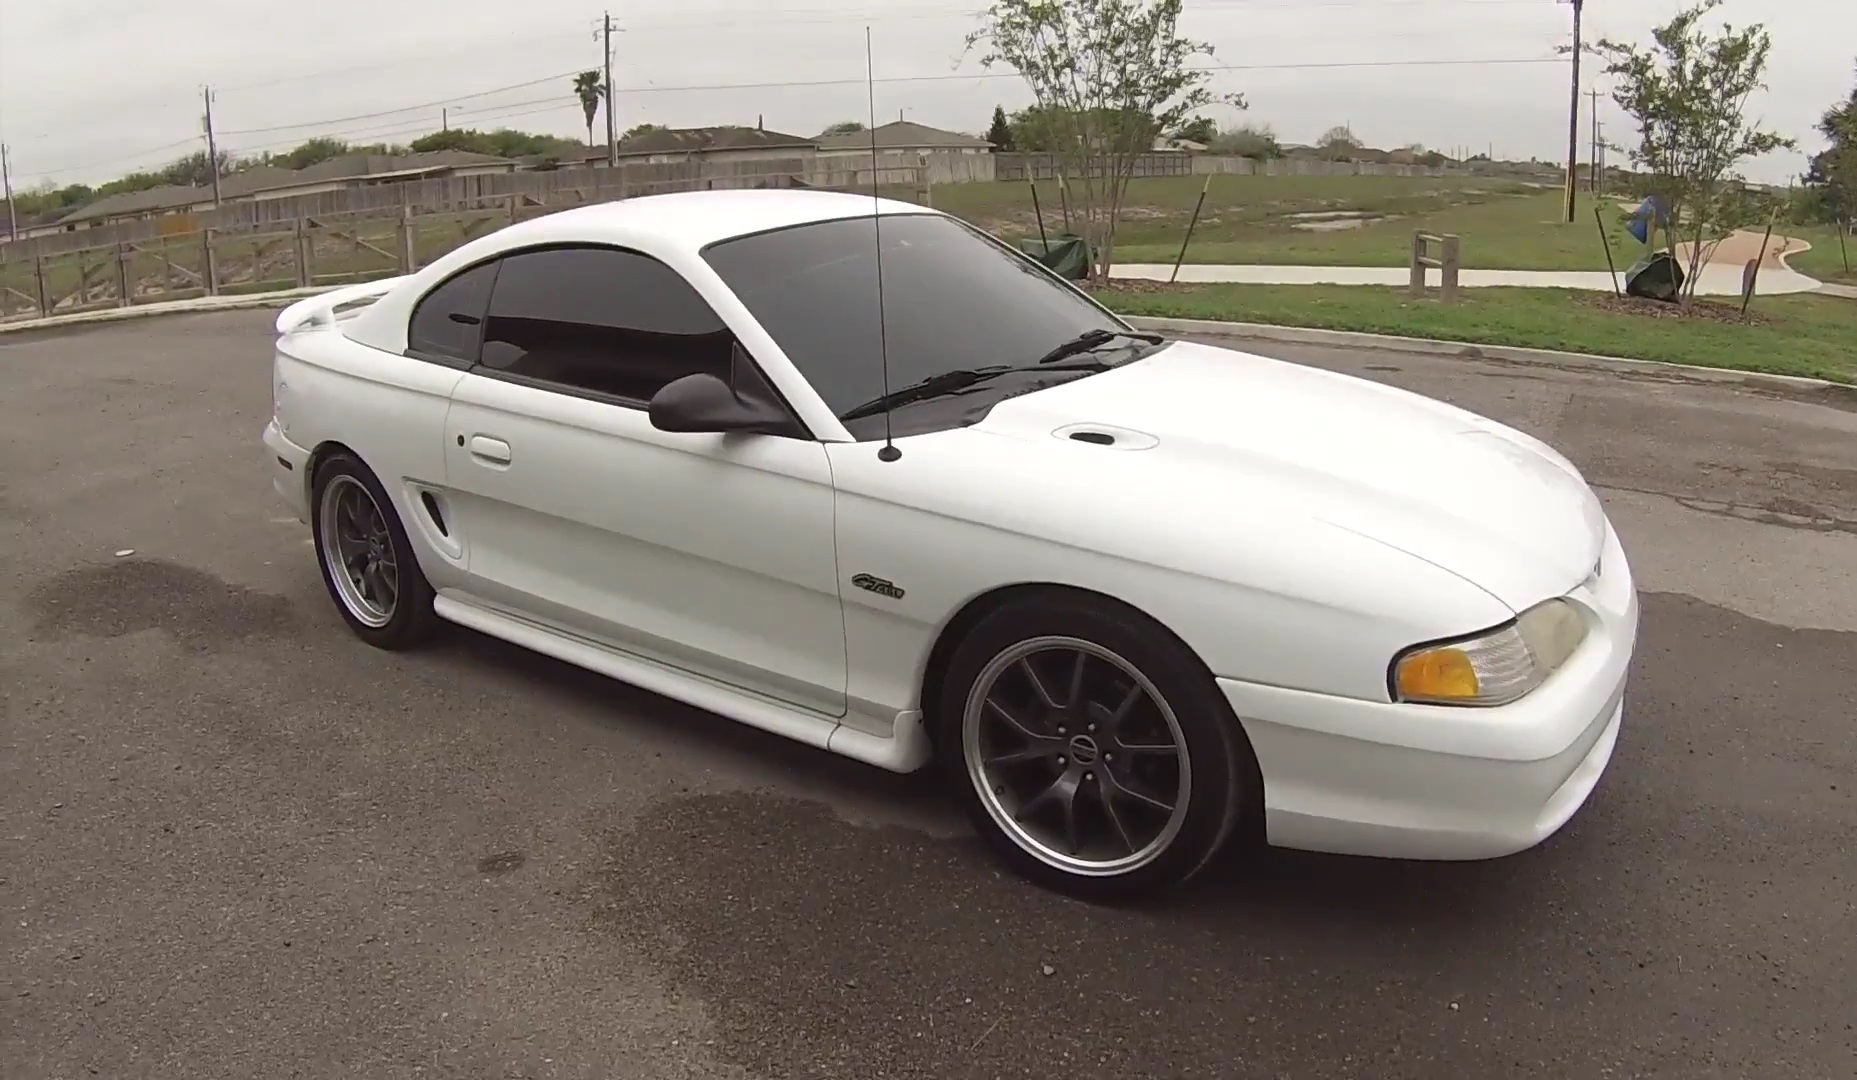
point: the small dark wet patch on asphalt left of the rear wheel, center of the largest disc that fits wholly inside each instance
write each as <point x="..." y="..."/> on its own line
<point x="138" y="595"/>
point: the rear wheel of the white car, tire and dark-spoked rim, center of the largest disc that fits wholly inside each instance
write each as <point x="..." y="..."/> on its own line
<point x="367" y="559"/>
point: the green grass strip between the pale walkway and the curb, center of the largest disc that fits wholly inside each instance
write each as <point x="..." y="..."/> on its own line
<point x="1797" y="335"/>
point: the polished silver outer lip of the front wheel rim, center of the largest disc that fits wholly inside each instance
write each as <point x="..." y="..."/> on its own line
<point x="996" y="810"/>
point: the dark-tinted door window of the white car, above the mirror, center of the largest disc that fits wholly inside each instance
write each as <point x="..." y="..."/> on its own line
<point x="603" y="320"/>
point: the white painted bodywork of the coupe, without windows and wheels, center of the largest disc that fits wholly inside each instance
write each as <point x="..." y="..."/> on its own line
<point x="1293" y="528"/>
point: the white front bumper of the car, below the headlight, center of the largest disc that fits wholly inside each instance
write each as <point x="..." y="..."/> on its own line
<point x="1423" y="782"/>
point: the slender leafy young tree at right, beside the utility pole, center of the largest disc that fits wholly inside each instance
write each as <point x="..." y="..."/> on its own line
<point x="1689" y="96"/>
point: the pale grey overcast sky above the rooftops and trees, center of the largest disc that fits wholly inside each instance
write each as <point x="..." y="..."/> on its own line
<point x="97" y="88"/>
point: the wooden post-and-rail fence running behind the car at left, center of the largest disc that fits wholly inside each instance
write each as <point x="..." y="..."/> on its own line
<point x="326" y="248"/>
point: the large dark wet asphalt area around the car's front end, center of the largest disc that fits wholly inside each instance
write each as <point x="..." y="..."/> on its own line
<point x="831" y="949"/>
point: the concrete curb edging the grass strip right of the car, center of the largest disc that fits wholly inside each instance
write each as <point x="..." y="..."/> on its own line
<point x="1468" y="352"/>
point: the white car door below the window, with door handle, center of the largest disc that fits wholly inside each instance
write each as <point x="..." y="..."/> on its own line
<point x="708" y="552"/>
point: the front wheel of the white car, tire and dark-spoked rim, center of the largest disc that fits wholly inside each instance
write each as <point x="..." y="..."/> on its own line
<point x="1093" y="749"/>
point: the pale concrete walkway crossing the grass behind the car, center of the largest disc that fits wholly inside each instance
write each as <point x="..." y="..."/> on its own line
<point x="1719" y="281"/>
